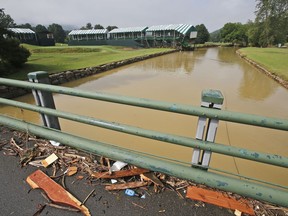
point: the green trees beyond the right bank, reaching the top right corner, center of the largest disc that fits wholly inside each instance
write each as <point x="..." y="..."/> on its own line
<point x="269" y="28"/>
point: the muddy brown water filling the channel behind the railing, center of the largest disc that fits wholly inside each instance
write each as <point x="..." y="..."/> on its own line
<point x="180" y="78"/>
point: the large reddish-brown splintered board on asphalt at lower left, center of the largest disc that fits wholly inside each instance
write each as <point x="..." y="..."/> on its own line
<point x="54" y="191"/>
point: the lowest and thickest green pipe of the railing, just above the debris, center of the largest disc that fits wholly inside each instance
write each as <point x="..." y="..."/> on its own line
<point x="215" y="180"/>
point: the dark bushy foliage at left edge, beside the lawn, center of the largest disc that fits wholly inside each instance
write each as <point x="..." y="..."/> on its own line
<point x="12" y="55"/>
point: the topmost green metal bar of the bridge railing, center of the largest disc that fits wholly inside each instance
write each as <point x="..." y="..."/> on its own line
<point x="274" y="123"/>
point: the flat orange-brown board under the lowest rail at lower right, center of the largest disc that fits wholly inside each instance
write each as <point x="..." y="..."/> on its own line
<point x="219" y="199"/>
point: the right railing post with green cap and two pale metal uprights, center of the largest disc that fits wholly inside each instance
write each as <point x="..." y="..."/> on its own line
<point x="210" y="99"/>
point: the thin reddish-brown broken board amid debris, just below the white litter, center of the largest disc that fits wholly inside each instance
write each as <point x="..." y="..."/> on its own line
<point x="120" y="174"/>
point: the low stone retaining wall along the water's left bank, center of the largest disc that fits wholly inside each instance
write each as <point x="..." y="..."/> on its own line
<point x="70" y="75"/>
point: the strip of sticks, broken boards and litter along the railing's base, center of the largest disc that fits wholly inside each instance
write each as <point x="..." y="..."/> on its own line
<point x="63" y="161"/>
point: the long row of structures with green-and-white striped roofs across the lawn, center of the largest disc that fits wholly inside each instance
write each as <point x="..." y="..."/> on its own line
<point x="173" y="35"/>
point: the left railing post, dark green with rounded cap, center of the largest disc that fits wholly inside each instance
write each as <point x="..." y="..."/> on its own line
<point x="44" y="98"/>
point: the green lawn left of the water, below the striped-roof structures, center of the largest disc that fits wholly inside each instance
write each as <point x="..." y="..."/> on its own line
<point x="63" y="57"/>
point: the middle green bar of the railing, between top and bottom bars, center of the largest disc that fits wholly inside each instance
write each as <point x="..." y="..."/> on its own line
<point x="272" y="159"/>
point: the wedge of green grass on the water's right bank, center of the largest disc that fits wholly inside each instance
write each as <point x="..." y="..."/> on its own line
<point x="273" y="59"/>
